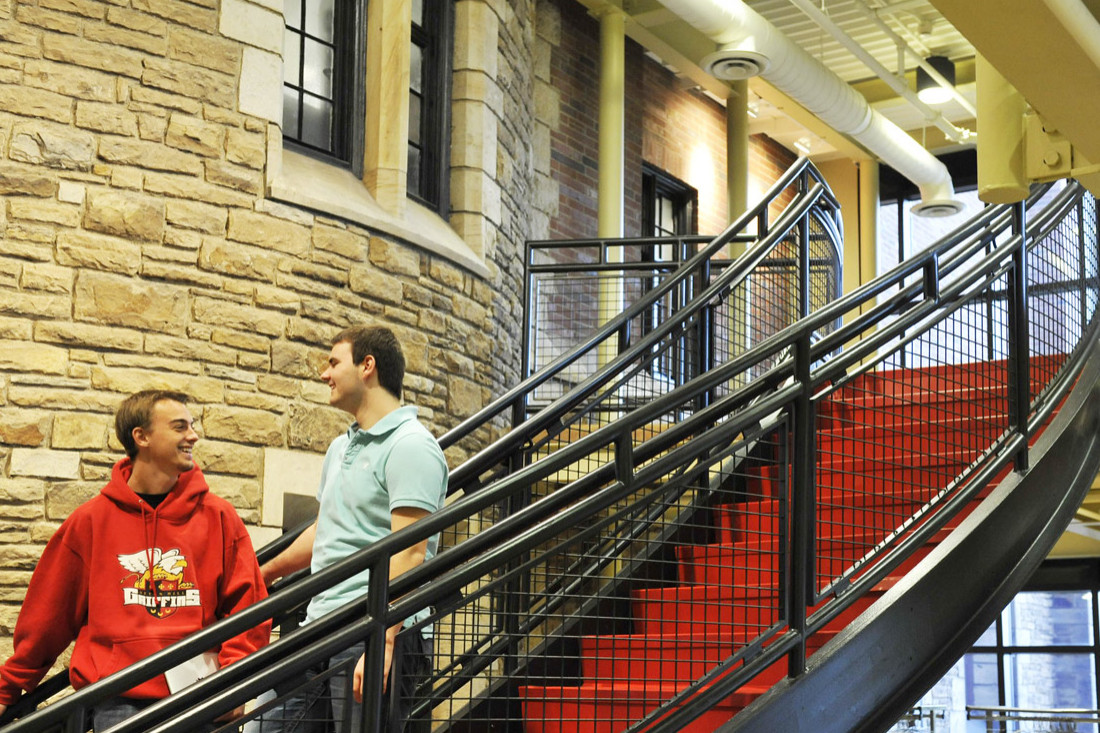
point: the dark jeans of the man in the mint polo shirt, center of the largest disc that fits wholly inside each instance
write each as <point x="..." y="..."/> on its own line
<point x="329" y="706"/>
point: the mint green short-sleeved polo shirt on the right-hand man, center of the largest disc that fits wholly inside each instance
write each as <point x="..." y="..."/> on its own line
<point x="366" y="476"/>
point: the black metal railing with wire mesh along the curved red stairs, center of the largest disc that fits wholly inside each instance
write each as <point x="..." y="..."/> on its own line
<point x="662" y="562"/>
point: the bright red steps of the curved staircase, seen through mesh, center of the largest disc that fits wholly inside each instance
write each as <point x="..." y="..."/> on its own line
<point x="729" y="588"/>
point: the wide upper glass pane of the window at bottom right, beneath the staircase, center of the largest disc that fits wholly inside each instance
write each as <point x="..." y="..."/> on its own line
<point x="1049" y="619"/>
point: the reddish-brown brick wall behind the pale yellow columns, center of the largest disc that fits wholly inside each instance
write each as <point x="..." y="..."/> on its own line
<point x="680" y="132"/>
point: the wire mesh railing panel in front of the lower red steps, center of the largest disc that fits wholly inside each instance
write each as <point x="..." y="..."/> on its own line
<point x="604" y="623"/>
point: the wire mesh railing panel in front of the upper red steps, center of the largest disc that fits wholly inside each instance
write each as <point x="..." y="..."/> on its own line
<point x="893" y="442"/>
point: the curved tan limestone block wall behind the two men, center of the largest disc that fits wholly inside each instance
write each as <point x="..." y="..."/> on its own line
<point x="141" y="247"/>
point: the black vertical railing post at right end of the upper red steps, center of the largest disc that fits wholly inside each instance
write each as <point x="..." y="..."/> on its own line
<point x="1019" y="336"/>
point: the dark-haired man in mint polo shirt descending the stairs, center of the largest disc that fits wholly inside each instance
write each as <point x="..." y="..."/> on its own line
<point x="384" y="474"/>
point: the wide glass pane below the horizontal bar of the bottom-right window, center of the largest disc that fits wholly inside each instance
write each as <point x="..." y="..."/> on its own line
<point x="1050" y="681"/>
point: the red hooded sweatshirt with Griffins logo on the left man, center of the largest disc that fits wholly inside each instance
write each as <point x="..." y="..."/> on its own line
<point x="94" y="585"/>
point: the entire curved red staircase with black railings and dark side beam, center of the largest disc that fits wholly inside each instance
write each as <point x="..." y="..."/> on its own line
<point x="690" y="556"/>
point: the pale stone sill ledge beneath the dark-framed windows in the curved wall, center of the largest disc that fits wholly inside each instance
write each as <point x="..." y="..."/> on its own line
<point x="303" y="181"/>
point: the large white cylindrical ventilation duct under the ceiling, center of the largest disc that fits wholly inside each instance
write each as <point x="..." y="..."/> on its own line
<point x="750" y="46"/>
